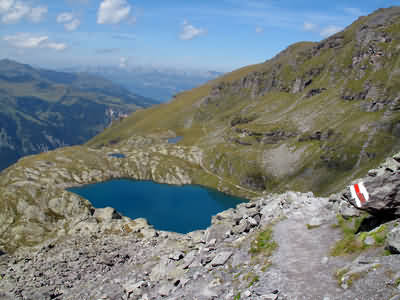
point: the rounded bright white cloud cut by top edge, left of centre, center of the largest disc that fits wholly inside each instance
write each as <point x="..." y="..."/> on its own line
<point x="113" y="11"/>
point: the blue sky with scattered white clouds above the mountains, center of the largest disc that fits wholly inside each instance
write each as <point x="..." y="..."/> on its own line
<point x="219" y="35"/>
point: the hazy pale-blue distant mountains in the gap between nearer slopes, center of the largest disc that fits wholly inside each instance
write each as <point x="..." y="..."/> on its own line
<point x="156" y="83"/>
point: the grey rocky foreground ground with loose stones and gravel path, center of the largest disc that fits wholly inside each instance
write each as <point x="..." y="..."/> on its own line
<point x="275" y="247"/>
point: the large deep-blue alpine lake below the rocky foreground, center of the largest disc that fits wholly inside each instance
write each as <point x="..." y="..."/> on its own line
<point x="167" y="207"/>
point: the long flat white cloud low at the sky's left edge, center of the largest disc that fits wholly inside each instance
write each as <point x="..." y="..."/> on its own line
<point x="28" y="41"/>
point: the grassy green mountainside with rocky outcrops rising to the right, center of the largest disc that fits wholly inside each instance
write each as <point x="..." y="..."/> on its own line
<point x="313" y="117"/>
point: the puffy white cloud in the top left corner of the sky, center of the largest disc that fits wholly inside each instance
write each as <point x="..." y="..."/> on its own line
<point x="12" y="11"/>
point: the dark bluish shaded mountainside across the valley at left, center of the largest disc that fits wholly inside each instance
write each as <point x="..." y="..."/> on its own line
<point x="43" y="109"/>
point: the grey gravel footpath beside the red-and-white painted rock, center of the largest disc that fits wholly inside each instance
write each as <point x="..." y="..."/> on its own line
<point x="302" y="266"/>
